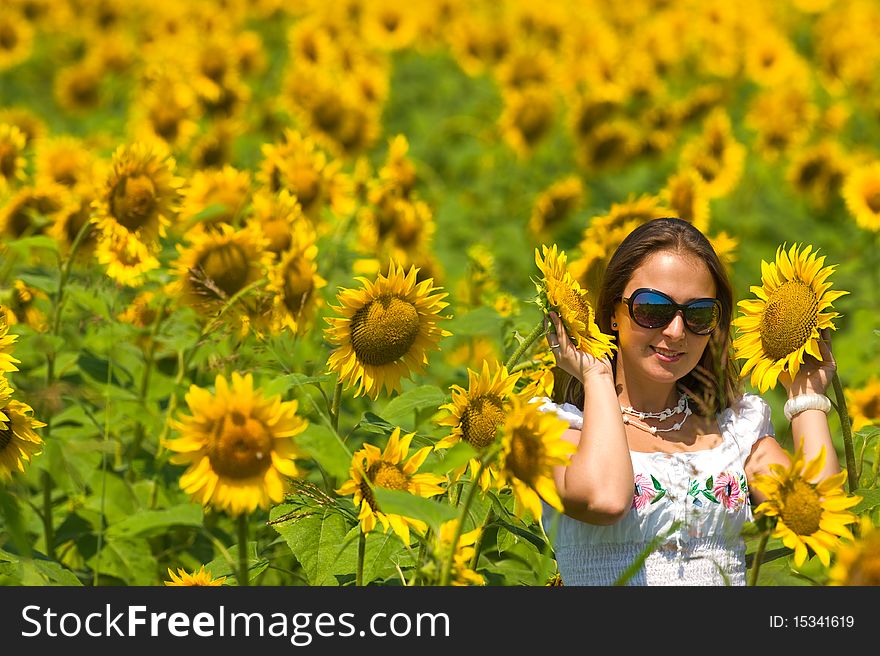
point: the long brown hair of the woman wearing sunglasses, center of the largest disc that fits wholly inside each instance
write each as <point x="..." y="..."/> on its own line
<point x="714" y="382"/>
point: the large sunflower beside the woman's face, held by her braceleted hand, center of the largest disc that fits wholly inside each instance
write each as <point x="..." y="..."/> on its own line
<point x="779" y="328"/>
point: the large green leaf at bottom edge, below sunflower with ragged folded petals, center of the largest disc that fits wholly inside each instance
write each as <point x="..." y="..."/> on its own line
<point x="317" y="542"/>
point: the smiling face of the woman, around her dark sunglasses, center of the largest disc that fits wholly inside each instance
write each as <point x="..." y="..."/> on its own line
<point x="668" y="353"/>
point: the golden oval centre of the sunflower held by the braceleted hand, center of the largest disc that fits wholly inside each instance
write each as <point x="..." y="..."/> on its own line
<point x="790" y="316"/>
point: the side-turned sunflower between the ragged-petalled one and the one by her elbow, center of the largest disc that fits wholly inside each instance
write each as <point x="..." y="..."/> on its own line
<point x="476" y="414"/>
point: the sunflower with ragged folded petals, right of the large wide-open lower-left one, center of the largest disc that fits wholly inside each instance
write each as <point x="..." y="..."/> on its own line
<point x="392" y="470"/>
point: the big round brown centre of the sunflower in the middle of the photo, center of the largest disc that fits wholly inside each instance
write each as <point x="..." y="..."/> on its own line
<point x="384" y="330"/>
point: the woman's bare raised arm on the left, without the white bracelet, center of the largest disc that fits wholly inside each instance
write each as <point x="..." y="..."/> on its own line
<point x="597" y="484"/>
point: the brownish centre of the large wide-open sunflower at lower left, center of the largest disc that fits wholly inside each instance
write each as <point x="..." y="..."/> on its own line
<point x="241" y="447"/>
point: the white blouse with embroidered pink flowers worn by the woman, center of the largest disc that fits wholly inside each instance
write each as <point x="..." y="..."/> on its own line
<point x="695" y="503"/>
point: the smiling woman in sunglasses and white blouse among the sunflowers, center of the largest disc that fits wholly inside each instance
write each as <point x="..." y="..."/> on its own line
<point x="666" y="444"/>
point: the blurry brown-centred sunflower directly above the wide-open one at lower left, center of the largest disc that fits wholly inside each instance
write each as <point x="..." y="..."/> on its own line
<point x="218" y="264"/>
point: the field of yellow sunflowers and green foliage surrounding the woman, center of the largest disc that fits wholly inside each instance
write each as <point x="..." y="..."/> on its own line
<point x="272" y="271"/>
